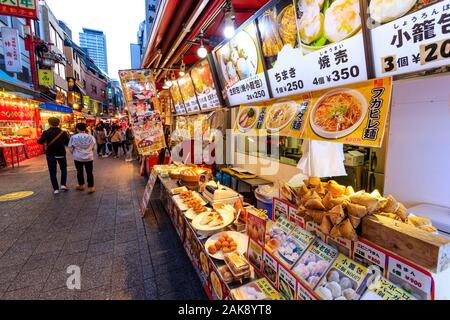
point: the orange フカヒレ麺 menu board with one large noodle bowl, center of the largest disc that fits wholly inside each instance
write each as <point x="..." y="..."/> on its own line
<point x="353" y="114"/>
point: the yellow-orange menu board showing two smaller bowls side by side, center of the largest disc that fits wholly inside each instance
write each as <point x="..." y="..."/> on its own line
<point x="285" y="117"/>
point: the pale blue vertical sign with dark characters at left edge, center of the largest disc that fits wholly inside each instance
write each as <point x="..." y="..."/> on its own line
<point x="10" y="38"/>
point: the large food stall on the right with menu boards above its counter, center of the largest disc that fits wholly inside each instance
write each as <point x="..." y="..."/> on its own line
<point x="322" y="112"/>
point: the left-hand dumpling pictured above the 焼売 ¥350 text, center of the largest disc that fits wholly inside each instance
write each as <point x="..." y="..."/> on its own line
<point x="311" y="25"/>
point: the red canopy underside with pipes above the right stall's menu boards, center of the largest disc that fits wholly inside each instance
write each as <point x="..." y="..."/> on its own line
<point x="178" y="25"/>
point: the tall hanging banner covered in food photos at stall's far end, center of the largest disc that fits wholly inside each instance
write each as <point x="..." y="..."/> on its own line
<point x="139" y="89"/>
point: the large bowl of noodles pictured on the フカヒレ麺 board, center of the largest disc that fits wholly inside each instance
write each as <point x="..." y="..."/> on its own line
<point x="338" y="113"/>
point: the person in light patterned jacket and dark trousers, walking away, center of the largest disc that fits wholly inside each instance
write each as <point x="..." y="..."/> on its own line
<point x="82" y="147"/>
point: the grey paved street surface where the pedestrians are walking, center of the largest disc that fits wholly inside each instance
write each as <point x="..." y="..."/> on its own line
<point x="121" y="256"/>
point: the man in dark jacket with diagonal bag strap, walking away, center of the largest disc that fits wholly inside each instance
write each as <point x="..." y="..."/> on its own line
<point x="56" y="141"/>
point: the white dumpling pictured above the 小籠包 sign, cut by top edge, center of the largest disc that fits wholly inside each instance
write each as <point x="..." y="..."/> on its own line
<point x="387" y="10"/>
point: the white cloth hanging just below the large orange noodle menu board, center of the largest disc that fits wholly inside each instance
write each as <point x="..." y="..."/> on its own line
<point x="322" y="159"/>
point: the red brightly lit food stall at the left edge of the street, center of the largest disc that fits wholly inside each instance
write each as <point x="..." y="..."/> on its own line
<point x="19" y="129"/>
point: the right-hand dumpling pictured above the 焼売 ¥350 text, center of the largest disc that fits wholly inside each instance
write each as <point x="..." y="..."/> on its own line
<point x="342" y="20"/>
